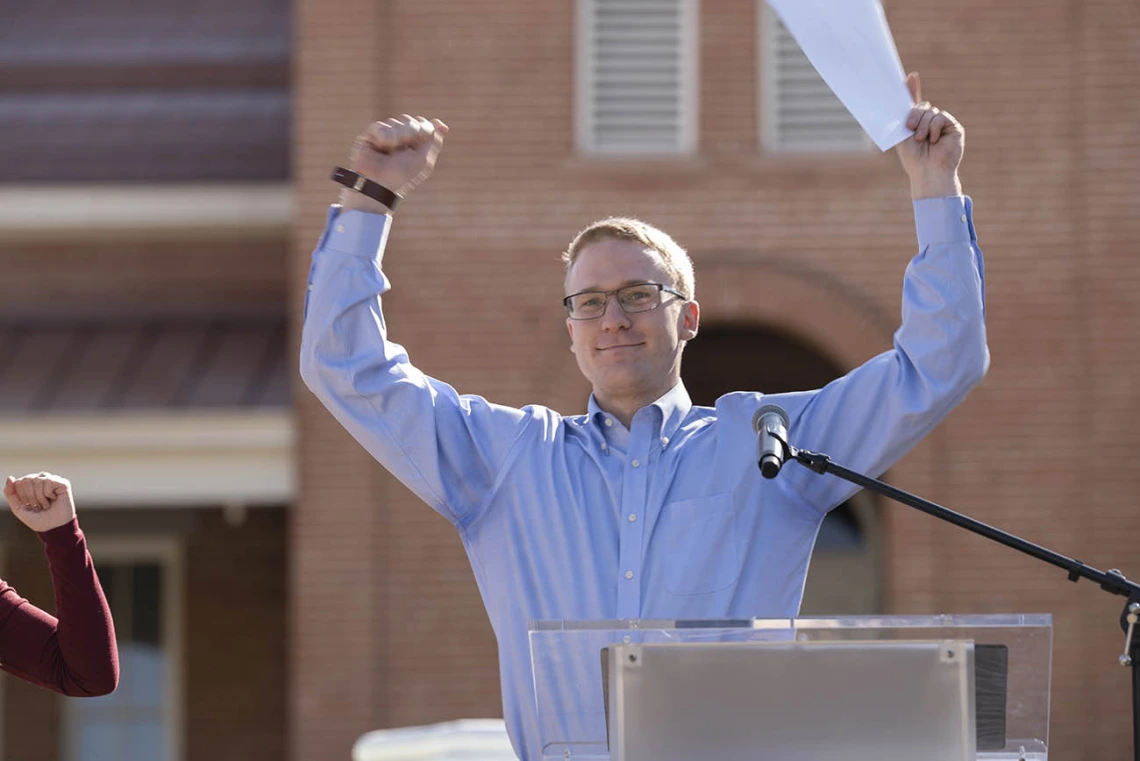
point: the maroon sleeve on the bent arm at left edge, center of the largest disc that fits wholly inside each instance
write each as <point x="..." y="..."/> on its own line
<point x="76" y="654"/>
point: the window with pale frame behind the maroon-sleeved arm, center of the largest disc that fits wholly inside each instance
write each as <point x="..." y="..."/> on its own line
<point x="140" y="721"/>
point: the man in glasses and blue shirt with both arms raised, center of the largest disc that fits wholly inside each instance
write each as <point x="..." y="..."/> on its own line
<point x="646" y="508"/>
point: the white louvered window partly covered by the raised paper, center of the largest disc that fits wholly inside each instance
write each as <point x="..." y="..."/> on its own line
<point x="801" y="112"/>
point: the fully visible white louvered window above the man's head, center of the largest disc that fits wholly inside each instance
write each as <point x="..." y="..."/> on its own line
<point x="637" y="77"/>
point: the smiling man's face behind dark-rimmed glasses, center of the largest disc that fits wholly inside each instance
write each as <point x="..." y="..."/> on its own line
<point x="629" y="356"/>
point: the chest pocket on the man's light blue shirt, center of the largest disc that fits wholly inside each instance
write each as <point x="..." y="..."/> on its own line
<point x="703" y="550"/>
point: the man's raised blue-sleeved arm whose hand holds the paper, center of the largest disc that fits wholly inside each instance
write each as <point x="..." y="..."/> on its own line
<point x="873" y="416"/>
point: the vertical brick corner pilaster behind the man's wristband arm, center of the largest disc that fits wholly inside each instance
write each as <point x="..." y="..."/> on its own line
<point x="339" y="625"/>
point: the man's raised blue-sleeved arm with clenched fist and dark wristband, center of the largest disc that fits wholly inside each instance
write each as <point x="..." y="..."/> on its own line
<point x="449" y="449"/>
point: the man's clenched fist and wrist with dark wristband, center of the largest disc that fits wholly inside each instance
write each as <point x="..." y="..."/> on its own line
<point x="398" y="154"/>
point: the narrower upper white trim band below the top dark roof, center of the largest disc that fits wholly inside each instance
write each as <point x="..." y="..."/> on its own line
<point x="67" y="211"/>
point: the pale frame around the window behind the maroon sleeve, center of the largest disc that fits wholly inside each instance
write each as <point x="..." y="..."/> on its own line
<point x="168" y="552"/>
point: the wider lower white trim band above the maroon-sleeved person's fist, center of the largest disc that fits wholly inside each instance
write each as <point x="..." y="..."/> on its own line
<point x="164" y="460"/>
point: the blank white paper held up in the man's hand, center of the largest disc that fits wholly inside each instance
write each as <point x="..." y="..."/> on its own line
<point x="850" y="44"/>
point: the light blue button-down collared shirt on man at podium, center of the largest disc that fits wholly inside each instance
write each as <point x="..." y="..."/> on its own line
<point x="581" y="519"/>
